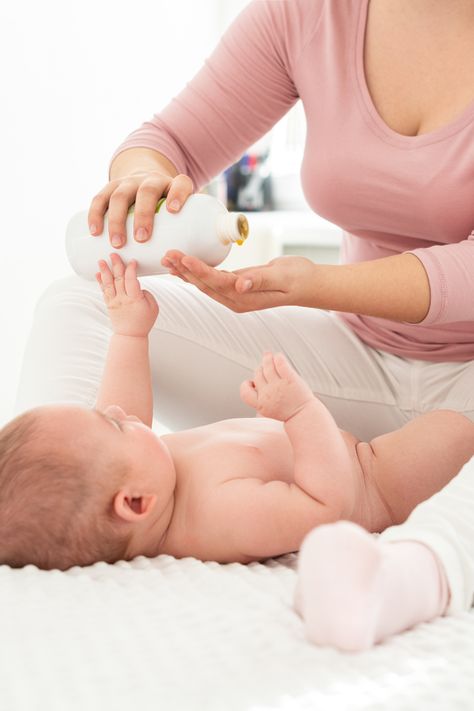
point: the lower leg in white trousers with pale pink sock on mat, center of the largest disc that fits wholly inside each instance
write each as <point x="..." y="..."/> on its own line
<point x="354" y="590"/>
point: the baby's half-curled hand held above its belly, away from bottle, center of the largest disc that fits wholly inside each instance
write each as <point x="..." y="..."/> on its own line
<point x="277" y="390"/>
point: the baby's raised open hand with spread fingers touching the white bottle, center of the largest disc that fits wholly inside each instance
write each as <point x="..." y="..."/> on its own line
<point x="132" y="310"/>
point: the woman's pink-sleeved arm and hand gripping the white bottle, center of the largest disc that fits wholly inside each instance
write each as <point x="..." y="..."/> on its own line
<point x="245" y="86"/>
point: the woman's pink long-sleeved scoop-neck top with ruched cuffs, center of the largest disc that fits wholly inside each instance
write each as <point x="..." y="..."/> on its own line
<point x="388" y="192"/>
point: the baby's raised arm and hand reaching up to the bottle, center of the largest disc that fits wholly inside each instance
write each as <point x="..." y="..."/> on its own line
<point x="126" y="380"/>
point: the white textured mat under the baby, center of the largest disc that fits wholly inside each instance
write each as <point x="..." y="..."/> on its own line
<point x="184" y="635"/>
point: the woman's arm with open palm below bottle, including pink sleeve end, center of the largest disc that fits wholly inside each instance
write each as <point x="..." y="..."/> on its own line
<point x="433" y="285"/>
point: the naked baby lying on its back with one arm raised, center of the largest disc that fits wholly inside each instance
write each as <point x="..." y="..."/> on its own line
<point x="80" y="485"/>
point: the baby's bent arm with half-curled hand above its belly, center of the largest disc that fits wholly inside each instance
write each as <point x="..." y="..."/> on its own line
<point x="324" y="466"/>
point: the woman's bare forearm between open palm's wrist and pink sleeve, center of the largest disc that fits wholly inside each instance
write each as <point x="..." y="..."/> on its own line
<point x="395" y="288"/>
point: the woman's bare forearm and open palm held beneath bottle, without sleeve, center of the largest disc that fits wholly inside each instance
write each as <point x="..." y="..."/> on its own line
<point x="395" y="288"/>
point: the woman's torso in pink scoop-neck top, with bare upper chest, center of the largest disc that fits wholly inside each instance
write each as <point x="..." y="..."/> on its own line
<point x="389" y="152"/>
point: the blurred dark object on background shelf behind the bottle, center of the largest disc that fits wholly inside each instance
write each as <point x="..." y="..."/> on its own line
<point x="249" y="184"/>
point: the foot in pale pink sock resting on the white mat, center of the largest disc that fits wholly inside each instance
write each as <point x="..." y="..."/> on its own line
<point x="354" y="591"/>
